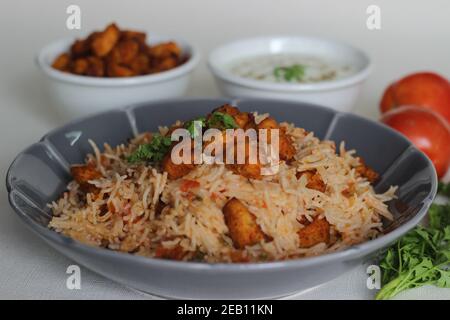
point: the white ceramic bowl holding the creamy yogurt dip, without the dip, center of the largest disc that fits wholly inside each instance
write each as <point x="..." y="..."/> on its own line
<point x="338" y="94"/>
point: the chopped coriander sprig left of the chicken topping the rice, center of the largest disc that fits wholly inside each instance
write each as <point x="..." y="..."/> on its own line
<point x="151" y="152"/>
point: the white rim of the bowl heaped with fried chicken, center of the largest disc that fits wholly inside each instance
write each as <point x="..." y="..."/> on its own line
<point x="54" y="47"/>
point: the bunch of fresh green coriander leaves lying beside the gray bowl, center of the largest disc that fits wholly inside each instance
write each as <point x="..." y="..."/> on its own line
<point x="421" y="257"/>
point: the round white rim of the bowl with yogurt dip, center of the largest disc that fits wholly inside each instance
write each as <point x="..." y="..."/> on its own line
<point x="351" y="80"/>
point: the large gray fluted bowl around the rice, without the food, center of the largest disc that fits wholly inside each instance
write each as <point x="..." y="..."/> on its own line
<point x="40" y="174"/>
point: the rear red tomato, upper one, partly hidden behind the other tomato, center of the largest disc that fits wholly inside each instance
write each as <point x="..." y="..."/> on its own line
<point x="423" y="89"/>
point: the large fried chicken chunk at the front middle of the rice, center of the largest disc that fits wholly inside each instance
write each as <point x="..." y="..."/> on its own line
<point x="242" y="226"/>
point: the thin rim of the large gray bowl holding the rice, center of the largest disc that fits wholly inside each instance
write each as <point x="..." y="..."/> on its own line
<point x="355" y="251"/>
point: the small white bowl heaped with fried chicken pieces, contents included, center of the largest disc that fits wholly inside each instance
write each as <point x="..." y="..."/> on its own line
<point x="115" y="67"/>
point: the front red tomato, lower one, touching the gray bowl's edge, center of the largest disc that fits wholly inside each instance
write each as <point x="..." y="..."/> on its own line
<point x="426" y="129"/>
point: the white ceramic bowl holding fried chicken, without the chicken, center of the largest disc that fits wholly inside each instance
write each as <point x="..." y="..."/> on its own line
<point x="75" y="95"/>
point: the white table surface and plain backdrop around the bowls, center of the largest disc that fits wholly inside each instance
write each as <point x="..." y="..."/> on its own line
<point x="411" y="39"/>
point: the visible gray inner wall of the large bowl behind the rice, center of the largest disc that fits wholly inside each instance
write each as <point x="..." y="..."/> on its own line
<point x="40" y="173"/>
